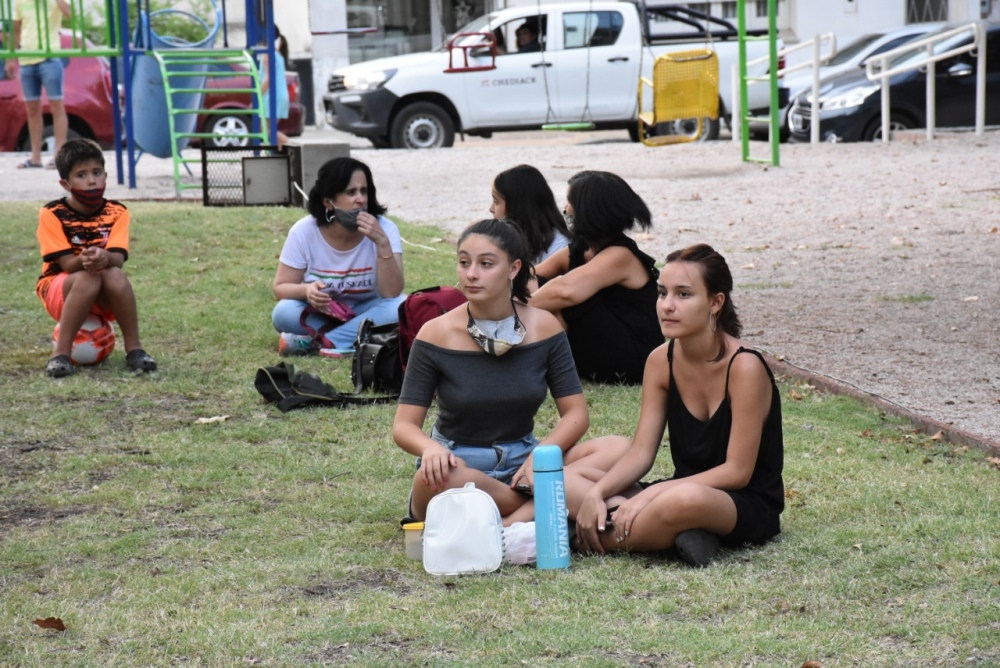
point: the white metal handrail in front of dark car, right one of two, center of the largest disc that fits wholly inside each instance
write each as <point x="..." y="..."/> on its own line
<point x="875" y="70"/>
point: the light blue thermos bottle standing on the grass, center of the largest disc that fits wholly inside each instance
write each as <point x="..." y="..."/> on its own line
<point x="551" y="523"/>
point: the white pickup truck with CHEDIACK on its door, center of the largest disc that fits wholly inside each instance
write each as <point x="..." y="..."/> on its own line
<point x="583" y="68"/>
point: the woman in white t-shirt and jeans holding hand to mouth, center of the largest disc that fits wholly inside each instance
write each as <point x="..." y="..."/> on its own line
<point x="341" y="264"/>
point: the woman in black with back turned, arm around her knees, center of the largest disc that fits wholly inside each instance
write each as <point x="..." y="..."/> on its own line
<point x="602" y="287"/>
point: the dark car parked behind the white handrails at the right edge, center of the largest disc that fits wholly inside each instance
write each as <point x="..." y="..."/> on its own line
<point x="850" y="105"/>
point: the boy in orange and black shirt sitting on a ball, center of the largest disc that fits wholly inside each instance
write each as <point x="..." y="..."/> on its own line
<point x="84" y="244"/>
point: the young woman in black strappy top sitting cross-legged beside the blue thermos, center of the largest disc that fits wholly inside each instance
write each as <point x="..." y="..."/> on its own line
<point x="722" y="411"/>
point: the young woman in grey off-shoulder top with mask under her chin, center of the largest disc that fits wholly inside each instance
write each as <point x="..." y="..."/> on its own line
<point x="490" y="365"/>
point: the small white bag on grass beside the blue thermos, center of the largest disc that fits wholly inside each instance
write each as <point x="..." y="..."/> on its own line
<point x="463" y="533"/>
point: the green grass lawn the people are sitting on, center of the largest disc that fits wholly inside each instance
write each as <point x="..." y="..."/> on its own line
<point x="266" y="539"/>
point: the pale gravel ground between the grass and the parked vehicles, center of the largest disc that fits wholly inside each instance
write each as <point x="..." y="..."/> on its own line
<point x="877" y="266"/>
